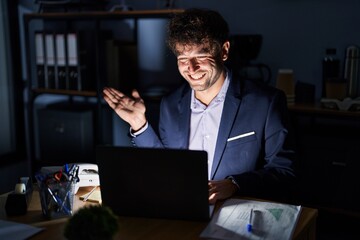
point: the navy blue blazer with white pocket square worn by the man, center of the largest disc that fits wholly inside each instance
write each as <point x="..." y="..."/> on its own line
<point x="254" y="146"/>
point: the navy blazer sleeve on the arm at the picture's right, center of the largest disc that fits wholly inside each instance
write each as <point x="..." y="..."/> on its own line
<point x="275" y="174"/>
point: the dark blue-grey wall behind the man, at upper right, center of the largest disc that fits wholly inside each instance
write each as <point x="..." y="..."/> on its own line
<point x="295" y="32"/>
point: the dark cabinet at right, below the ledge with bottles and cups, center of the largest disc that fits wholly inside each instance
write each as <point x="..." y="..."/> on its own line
<point x="328" y="151"/>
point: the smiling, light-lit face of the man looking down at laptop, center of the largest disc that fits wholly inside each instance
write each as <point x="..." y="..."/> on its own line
<point x="201" y="69"/>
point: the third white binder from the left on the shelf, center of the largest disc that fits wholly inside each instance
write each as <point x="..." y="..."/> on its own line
<point x="61" y="71"/>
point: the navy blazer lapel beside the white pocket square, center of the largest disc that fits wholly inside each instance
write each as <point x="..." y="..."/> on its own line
<point x="231" y="109"/>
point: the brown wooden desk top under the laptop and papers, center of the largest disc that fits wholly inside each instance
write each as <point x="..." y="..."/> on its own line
<point x="145" y="228"/>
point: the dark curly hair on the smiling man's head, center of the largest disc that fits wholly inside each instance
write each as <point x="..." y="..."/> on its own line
<point x="198" y="26"/>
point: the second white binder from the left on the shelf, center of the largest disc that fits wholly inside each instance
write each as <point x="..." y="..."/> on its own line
<point x="50" y="81"/>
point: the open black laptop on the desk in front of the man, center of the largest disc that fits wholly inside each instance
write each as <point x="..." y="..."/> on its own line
<point x="154" y="183"/>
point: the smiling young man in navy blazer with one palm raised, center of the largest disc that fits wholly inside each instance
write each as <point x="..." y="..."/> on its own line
<point x="241" y="124"/>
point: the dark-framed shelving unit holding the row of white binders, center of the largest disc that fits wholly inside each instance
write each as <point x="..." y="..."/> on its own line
<point x="73" y="21"/>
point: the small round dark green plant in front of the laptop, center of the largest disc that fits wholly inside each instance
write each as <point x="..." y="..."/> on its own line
<point x="94" y="222"/>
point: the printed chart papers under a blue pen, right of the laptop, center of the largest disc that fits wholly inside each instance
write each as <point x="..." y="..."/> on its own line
<point x="269" y="220"/>
